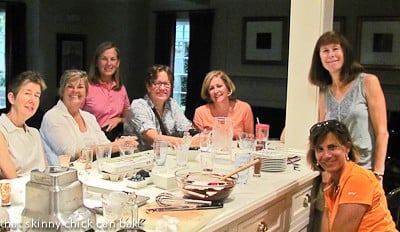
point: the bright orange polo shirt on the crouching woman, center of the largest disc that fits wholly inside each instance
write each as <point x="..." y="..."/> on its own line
<point x="360" y="186"/>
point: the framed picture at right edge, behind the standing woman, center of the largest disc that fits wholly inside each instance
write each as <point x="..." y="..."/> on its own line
<point x="378" y="42"/>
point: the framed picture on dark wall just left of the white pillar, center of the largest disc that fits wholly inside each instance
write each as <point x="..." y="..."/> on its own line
<point x="264" y="40"/>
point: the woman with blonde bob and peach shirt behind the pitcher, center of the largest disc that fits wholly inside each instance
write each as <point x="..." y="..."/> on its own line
<point x="218" y="90"/>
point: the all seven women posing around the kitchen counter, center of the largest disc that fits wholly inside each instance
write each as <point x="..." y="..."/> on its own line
<point x="93" y="108"/>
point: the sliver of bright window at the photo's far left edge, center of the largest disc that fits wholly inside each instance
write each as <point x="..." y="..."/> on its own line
<point x="2" y="59"/>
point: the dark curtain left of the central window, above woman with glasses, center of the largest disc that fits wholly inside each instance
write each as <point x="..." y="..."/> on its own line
<point x="165" y="38"/>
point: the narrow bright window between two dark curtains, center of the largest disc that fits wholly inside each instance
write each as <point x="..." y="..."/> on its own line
<point x="181" y="61"/>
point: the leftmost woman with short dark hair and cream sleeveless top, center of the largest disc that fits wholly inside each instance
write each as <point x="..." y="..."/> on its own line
<point x="21" y="148"/>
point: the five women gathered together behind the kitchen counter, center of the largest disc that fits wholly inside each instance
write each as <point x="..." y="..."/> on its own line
<point x="94" y="108"/>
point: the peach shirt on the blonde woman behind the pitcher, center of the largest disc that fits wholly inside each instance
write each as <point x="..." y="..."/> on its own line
<point x="241" y="115"/>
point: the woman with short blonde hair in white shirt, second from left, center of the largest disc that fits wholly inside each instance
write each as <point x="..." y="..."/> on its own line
<point x="65" y="128"/>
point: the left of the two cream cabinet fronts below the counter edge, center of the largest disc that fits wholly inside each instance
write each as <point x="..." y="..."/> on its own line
<point x="273" y="216"/>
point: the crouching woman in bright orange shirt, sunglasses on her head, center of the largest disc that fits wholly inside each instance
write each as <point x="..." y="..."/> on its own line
<point x="354" y="198"/>
